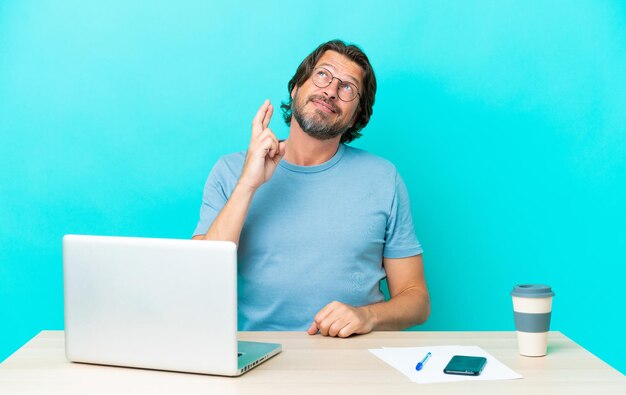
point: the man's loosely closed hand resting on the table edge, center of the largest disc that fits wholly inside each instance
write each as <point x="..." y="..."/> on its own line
<point x="342" y="320"/>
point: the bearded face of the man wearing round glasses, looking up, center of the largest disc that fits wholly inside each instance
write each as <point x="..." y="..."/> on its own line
<point x="319" y="111"/>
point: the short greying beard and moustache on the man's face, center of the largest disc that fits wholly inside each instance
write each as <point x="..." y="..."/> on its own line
<point x="318" y="123"/>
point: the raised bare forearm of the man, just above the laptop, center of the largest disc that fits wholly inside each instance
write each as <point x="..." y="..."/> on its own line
<point x="229" y="222"/>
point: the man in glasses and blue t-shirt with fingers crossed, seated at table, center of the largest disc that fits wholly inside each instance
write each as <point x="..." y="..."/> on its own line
<point x="318" y="223"/>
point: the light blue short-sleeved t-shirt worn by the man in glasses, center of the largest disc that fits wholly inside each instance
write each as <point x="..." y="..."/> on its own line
<point x="313" y="234"/>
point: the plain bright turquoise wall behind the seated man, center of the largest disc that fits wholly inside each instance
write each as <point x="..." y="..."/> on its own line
<point x="506" y="120"/>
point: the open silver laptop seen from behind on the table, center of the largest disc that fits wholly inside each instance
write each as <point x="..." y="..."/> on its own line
<point x="155" y="303"/>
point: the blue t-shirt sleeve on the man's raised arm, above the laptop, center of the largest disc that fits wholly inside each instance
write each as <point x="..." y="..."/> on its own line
<point x="214" y="198"/>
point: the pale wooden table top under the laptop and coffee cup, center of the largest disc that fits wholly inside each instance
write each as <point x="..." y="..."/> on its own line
<point x="318" y="365"/>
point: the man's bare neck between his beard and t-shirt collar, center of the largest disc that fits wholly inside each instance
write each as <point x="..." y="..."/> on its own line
<point x="304" y="150"/>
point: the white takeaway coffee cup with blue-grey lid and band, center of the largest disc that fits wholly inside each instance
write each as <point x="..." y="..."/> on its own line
<point x="532" y="307"/>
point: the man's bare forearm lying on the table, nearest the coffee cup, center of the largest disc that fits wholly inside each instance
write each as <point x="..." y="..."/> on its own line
<point x="409" y="308"/>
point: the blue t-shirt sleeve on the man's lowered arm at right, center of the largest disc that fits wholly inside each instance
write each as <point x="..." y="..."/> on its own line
<point x="400" y="240"/>
